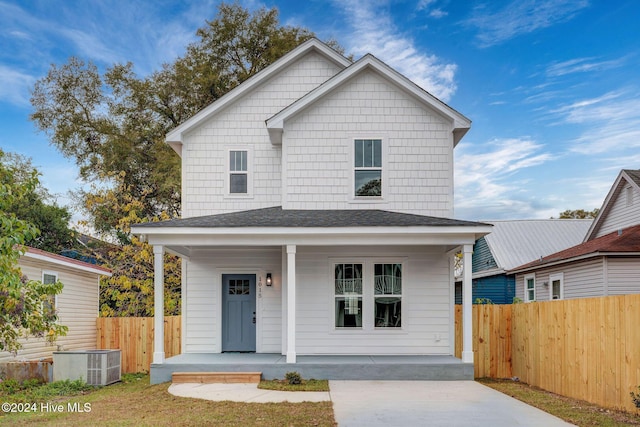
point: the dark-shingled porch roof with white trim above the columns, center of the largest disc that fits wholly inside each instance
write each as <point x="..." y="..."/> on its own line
<point x="278" y="227"/>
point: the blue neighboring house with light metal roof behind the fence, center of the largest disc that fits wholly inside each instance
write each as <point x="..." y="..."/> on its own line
<point x="513" y="243"/>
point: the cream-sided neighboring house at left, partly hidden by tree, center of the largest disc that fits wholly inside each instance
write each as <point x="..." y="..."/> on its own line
<point x="77" y="304"/>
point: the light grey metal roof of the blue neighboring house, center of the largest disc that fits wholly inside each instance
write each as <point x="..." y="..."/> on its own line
<point x="517" y="242"/>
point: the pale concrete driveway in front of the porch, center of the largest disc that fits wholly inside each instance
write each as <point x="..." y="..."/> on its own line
<point x="431" y="403"/>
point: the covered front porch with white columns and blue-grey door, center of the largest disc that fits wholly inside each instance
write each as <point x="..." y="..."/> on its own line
<point x="299" y="319"/>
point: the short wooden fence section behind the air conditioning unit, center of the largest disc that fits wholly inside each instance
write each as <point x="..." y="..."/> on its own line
<point x="134" y="337"/>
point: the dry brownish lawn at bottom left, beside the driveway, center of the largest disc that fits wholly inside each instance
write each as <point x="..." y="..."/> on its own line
<point x="134" y="402"/>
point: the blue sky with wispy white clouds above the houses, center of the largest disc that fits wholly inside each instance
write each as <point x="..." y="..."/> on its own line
<point x="552" y="86"/>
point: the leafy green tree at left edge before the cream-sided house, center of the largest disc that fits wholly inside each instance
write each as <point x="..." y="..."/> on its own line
<point x="24" y="308"/>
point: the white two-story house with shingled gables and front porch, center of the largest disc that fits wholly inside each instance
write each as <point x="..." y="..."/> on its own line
<point x="317" y="204"/>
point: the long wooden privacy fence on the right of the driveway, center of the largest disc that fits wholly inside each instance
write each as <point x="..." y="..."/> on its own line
<point x="583" y="348"/>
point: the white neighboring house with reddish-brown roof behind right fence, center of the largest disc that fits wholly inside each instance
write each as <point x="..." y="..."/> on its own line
<point x="607" y="262"/>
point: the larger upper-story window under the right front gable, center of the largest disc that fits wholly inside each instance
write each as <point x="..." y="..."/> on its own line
<point x="368" y="168"/>
